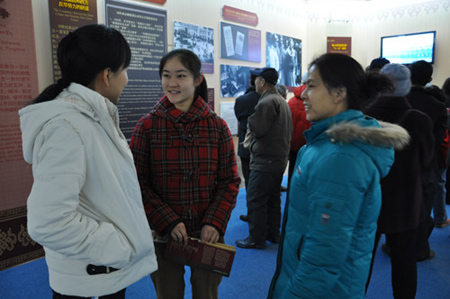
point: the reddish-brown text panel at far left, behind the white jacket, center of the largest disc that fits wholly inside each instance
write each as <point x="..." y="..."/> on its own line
<point x="18" y="86"/>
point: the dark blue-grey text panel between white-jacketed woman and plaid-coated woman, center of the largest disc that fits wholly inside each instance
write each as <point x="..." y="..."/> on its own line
<point x="145" y="29"/>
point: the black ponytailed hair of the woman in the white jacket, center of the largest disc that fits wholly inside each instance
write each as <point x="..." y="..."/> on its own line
<point x="84" y="53"/>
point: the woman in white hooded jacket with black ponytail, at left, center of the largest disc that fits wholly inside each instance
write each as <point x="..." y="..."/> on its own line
<point x="85" y="207"/>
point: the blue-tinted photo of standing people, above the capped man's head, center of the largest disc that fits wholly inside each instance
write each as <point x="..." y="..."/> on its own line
<point x="284" y="54"/>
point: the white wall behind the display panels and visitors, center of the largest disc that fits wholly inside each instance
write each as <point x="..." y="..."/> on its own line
<point x="302" y="19"/>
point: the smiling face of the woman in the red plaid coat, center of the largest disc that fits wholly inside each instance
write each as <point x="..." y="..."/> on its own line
<point x="179" y="84"/>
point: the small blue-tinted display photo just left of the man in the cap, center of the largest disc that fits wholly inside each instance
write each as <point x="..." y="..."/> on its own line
<point x="234" y="80"/>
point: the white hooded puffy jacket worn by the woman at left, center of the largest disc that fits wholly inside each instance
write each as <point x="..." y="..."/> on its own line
<point x="85" y="205"/>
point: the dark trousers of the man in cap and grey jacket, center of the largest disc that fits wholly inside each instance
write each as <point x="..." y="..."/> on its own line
<point x="264" y="204"/>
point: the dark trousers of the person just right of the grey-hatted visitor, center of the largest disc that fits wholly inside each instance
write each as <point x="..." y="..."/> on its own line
<point x="427" y="224"/>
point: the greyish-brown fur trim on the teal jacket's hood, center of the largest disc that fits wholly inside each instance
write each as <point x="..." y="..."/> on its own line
<point x="389" y="135"/>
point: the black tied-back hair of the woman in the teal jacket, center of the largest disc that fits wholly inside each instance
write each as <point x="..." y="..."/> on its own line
<point x="339" y="70"/>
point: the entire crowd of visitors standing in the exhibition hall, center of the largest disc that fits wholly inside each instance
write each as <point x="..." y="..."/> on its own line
<point x="367" y="151"/>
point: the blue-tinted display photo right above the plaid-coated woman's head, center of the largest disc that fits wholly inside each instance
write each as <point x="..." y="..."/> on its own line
<point x="199" y="40"/>
